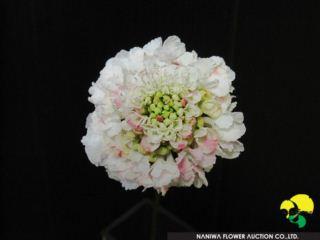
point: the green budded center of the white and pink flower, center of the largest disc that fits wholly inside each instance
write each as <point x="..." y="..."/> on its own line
<point x="166" y="112"/>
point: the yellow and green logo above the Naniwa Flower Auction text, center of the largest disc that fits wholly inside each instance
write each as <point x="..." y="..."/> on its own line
<point x="296" y="209"/>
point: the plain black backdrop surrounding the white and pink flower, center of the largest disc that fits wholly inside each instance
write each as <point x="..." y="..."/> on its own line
<point x="51" y="51"/>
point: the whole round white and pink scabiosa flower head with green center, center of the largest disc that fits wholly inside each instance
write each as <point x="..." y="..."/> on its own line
<point x="161" y="116"/>
